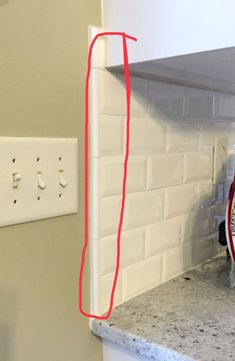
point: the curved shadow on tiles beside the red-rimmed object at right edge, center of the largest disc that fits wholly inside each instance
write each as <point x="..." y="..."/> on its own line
<point x="200" y="233"/>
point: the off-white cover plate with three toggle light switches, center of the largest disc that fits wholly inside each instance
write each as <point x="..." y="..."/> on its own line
<point x="38" y="178"/>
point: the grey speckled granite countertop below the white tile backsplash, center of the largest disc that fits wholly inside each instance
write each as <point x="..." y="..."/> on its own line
<point x="191" y="317"/>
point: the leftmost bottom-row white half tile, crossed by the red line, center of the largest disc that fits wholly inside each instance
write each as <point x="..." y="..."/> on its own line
<point x="105" y="286"/>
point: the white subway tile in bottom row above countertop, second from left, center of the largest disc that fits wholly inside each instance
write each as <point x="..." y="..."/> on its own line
<point x="142" y="276"/>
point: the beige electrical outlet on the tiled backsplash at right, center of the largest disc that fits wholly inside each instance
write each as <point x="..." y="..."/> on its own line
<point x="220" y="159"/>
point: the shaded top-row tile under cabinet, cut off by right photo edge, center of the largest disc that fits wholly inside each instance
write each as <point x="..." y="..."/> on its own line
<point x="224" y="106"/>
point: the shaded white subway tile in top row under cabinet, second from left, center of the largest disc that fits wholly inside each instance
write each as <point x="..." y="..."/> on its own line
<point x="166" y="100"/>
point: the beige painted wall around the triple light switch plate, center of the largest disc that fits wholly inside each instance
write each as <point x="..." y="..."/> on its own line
<point x="43" y="48"/>
